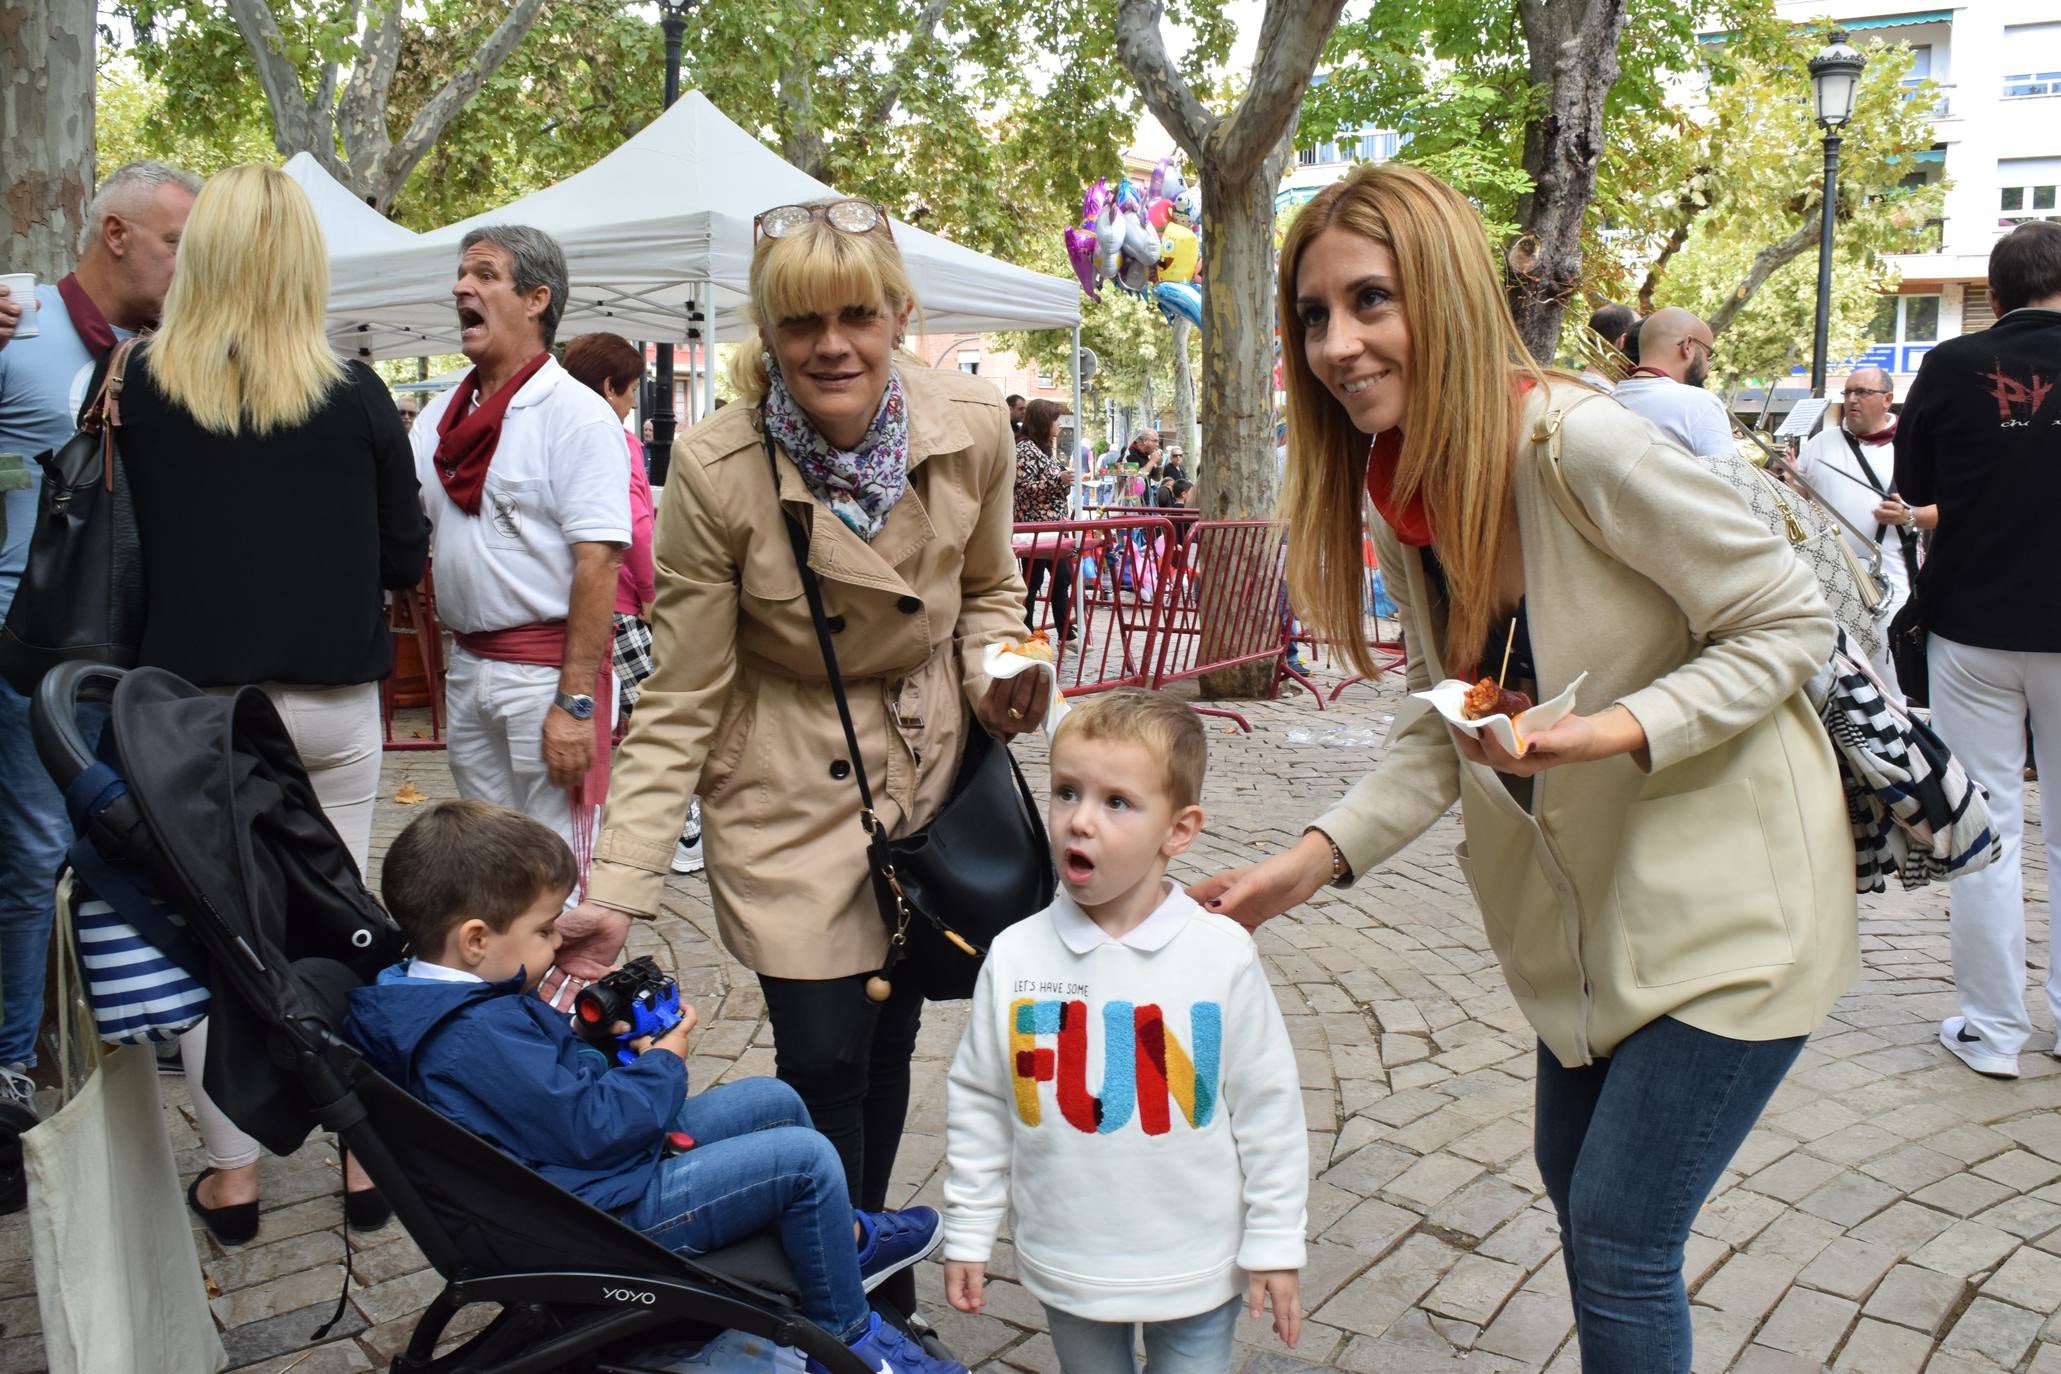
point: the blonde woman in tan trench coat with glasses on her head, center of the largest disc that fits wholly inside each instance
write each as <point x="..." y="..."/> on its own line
<point x="904" y="479"/>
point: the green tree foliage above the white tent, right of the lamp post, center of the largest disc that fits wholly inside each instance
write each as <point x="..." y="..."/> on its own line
<point x="974" y="121"/>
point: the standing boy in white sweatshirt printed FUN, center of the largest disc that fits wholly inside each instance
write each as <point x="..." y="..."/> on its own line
<point x="1178" y="1188"/>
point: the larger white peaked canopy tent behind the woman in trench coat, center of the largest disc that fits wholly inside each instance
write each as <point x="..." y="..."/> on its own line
<point x="658" y="238"/>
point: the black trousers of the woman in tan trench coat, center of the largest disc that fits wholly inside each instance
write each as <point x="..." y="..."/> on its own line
<point x="850" y="1058"/>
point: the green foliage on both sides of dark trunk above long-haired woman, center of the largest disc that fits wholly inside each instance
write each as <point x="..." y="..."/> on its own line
<point x="1710" y="158"/>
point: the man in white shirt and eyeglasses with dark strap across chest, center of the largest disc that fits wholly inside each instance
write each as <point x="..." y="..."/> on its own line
<point x="1852" y="467"/>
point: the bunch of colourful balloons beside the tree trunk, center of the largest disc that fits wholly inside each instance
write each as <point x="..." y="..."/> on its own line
<point x="1143" y="242"/>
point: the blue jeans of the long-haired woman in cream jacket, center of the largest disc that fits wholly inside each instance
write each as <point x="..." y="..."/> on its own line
<point x="1631" y="1148"/>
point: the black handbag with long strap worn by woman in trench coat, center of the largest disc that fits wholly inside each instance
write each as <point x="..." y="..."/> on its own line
<point x="978" y="868"/>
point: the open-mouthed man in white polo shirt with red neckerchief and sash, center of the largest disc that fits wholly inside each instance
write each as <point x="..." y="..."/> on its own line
<point x="527" y="485"/>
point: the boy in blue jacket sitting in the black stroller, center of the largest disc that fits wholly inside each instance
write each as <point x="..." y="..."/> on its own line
<point x="479" y="889"/>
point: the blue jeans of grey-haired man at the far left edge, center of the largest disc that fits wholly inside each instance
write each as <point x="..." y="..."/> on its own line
<point x="34" y="837"/>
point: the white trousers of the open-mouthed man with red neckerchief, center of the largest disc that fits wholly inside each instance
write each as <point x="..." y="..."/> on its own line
<point x="496" y="736"/>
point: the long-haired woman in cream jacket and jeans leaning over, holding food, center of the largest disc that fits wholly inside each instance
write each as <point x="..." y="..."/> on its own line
<point x="1666" y="877"/>
